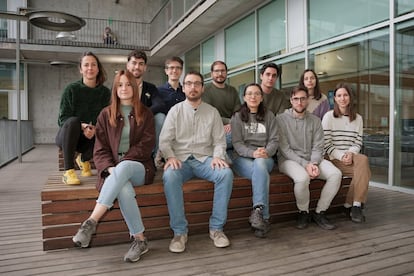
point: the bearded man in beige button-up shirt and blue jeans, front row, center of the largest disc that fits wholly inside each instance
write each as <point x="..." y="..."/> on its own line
<point x="192" y="141"/>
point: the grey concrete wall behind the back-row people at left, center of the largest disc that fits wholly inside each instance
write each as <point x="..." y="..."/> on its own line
<point x="46" y="84"/>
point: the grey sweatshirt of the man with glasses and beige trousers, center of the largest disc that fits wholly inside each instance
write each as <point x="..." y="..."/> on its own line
<point x="300" y="139"/>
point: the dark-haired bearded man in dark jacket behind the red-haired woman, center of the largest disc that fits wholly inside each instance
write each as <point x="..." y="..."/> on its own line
<point x="149" y="95"/>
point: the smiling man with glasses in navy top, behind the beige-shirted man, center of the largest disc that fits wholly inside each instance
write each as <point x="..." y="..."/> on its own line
<point x="172" y="93"/>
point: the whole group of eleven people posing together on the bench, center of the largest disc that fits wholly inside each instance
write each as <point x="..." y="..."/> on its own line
<point x="205" y="131"/>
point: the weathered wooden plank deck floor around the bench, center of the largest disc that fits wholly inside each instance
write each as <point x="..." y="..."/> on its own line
<point x="384" y="245"/>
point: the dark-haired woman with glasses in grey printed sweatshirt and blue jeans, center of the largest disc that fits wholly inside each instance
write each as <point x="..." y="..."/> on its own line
<point x="255" y="141"/>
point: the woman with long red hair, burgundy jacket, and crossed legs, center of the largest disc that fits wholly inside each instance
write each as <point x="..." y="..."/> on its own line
<point x="125" y="137"/>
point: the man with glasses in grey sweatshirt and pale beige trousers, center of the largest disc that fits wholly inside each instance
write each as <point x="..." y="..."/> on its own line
<point x="300" y="156"/>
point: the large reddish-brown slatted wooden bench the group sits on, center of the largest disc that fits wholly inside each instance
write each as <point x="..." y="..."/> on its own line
<point x="64" y="207"/>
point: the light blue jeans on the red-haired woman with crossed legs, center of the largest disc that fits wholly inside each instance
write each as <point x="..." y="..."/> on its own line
<point x="120" y="184"/>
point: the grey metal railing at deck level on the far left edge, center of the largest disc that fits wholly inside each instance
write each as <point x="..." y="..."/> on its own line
<point x="8" y="139"/>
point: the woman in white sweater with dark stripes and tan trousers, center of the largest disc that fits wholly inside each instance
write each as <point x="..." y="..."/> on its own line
<point x="343" y="141"/>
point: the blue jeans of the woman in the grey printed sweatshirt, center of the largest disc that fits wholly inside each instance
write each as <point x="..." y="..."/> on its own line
<point x="257" y="170"/>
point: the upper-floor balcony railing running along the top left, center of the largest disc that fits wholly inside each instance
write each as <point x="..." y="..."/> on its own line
<point x="130" y="35"/>
